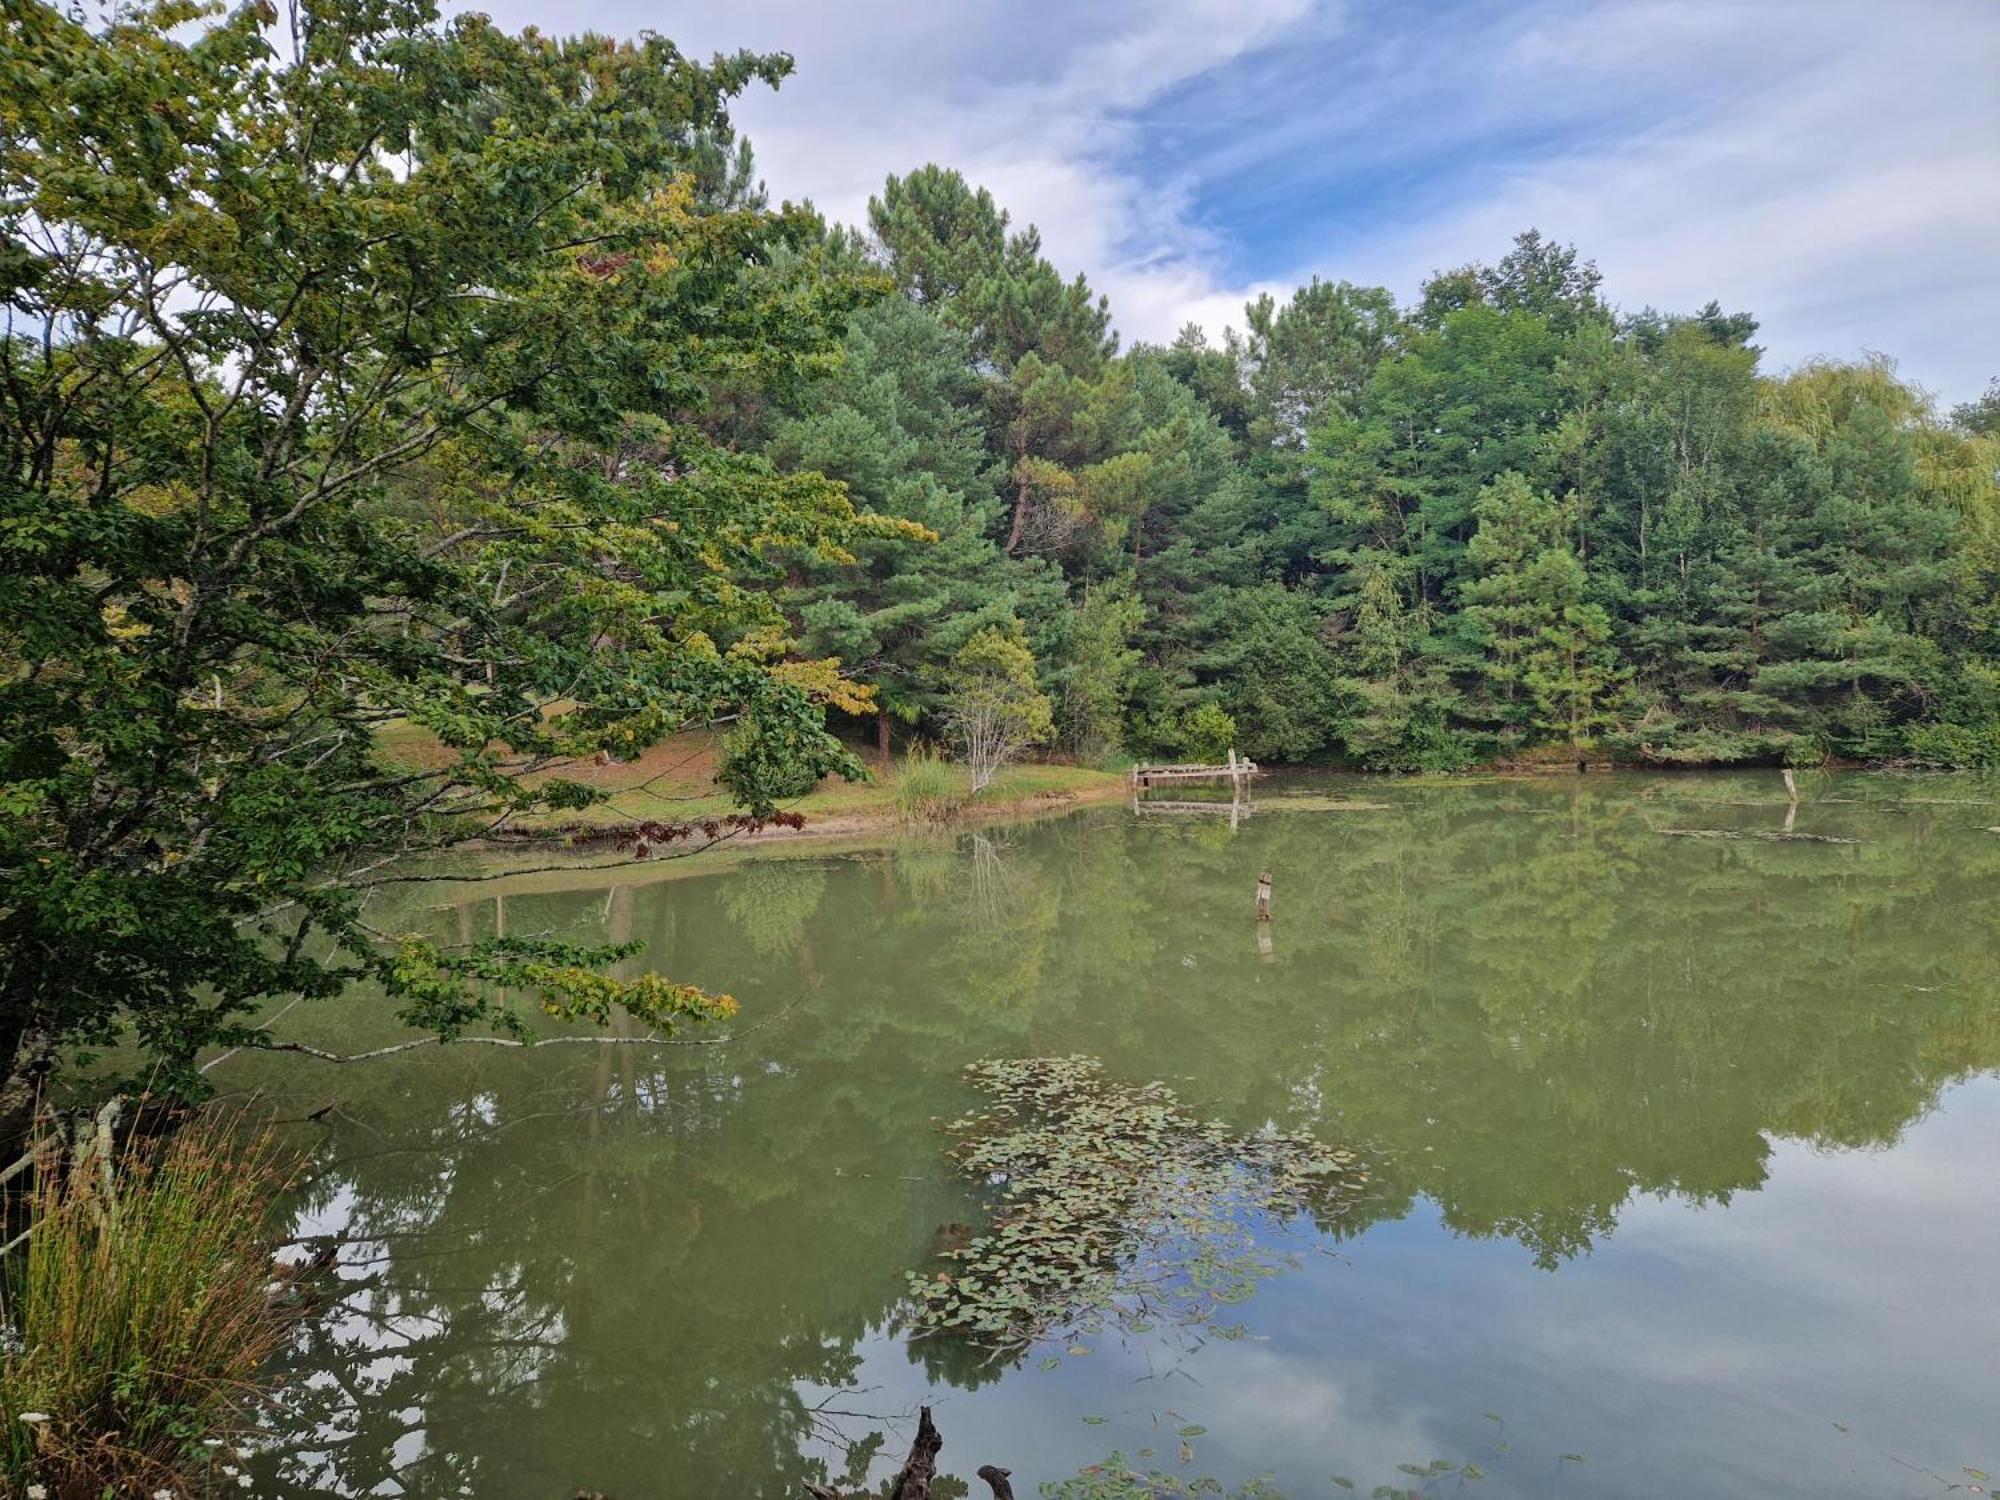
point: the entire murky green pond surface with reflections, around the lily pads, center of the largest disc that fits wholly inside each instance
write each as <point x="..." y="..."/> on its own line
<point x="1685" y="1157"/>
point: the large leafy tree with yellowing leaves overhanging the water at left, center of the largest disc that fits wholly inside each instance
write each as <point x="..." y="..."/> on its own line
<point x="349" y="385"/>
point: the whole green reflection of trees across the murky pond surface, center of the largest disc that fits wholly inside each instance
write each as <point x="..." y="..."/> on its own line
<point x="621" y="1267"/>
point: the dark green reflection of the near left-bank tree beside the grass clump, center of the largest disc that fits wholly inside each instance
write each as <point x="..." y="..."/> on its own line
<point x="547" y="1269"/>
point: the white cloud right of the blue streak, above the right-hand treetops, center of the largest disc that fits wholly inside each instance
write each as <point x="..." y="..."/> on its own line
<point x="1851" y="201"/>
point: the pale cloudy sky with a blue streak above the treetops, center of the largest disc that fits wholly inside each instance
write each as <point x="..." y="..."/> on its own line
<point x="1829" y="165"/>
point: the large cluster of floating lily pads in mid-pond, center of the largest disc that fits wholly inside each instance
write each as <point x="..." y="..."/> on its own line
<point x="1115" y="1205"/>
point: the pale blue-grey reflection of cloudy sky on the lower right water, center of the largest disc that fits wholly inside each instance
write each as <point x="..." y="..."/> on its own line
<point x="1797" y="1343"/>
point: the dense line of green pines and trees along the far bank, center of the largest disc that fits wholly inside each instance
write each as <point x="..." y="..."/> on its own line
<point x="1503" y="521"/>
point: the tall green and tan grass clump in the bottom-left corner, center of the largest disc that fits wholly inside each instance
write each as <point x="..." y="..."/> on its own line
<point x="139" y="1313"/>
